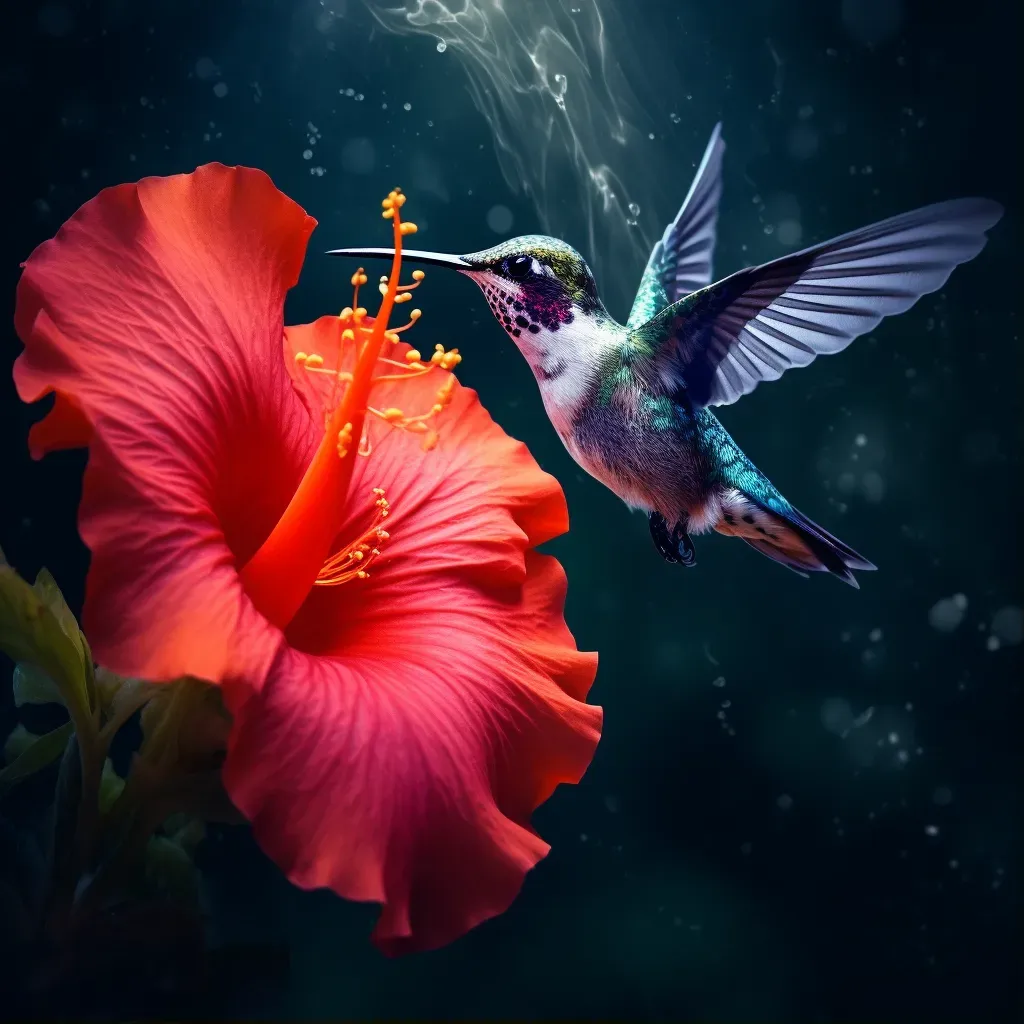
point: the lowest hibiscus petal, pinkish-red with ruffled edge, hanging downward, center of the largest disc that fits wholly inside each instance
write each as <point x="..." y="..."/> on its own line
<point x="406" y="774"/>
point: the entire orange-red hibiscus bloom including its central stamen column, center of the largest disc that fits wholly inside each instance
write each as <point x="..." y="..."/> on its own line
<point x="396" y="727"/>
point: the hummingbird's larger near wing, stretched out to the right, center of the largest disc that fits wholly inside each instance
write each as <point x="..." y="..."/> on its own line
<point x="720" y="344"/>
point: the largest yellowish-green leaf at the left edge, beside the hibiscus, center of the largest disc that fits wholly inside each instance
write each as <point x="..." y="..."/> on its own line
<point x="31" y="631"/>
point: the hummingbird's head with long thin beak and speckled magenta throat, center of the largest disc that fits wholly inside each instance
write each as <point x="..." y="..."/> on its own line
<point x="543" y="294"/>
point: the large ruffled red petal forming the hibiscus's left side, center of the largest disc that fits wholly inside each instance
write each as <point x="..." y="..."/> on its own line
<point x="156" y="313"/>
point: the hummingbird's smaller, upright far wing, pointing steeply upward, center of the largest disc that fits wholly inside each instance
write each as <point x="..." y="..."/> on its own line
<point x="680" y="264"/>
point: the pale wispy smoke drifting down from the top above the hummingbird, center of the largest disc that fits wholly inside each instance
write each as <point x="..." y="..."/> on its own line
<point x="568" y="127"/>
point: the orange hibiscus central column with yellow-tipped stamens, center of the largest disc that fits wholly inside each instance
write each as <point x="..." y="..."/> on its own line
<point x="297" y="554"/>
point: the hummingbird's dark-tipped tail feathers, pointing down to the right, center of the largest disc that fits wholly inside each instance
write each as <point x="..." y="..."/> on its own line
<point x="791" y="539"/>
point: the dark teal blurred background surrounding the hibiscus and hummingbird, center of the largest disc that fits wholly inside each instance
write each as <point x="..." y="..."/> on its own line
<point x="739" y="863"/>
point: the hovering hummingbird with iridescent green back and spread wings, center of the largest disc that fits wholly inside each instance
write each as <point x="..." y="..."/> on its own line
<point x="633" y="403"/>
